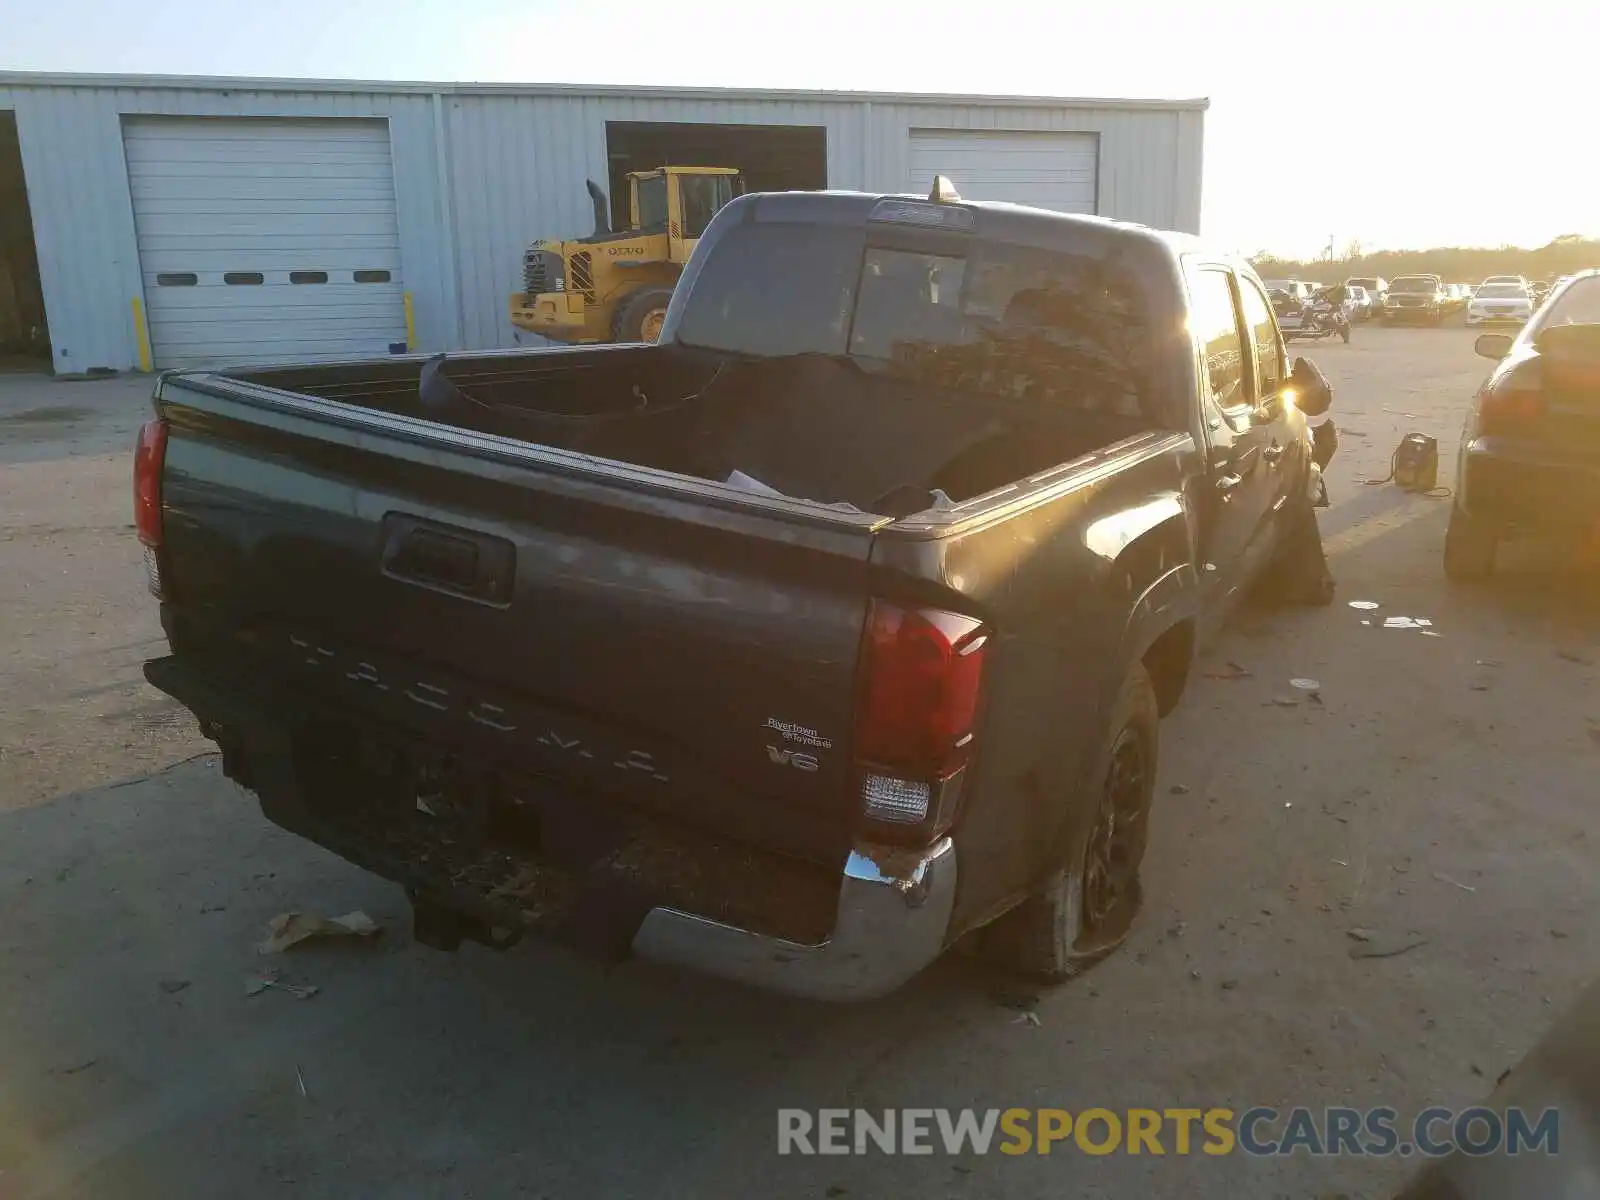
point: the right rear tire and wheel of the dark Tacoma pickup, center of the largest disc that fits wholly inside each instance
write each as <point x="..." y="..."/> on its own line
<point x="1087" y="908"/>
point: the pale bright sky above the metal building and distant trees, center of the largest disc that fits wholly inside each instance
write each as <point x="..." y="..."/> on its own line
<point x="1394" y="122"/>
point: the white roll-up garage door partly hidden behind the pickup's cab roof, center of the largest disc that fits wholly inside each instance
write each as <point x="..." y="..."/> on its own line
<point x="1047" y="170"/>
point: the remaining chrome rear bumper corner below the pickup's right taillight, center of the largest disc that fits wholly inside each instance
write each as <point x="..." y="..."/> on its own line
<point x="894" y="918"/>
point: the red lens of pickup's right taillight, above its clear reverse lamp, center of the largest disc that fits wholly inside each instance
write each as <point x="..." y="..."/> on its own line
<point x="919" y="690"/>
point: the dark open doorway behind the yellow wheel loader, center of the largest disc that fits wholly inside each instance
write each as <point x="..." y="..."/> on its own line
<point x="774" y="158"/>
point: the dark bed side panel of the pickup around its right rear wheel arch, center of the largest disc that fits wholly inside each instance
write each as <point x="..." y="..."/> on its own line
<point x="1060" y="574"/>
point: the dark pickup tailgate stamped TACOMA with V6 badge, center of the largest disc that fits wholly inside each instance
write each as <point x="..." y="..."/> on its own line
<point x="618" y="631"/>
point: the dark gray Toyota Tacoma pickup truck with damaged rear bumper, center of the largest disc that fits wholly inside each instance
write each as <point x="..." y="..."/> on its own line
<point x="828" y="631"/>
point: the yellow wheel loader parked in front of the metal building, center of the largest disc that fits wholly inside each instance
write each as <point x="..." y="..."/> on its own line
<point x="614" y="287"/>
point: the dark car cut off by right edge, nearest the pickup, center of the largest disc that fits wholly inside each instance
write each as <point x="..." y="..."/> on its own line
<point x="1530" y="449"/>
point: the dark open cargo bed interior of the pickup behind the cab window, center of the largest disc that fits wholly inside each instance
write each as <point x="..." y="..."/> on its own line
<point x="818" y="430"/>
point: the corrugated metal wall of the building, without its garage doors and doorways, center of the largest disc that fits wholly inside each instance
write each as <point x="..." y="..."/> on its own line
<point x="482" y="172"/>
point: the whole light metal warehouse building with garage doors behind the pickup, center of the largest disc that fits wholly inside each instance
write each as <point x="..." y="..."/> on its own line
<point x="228" y="220"/>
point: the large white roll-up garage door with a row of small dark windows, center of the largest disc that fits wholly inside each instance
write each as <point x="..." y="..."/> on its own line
<point x="266" y="241"/>
